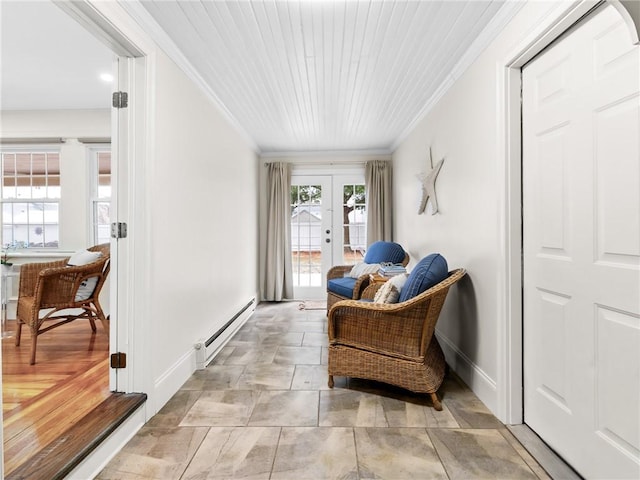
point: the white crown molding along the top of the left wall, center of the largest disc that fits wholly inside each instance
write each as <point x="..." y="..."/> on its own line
<point x="168" y="46"/>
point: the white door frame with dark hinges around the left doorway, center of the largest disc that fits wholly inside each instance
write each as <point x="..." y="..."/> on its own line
<point x="131" y="140"/>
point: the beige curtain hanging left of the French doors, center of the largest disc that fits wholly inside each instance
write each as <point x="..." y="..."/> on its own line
<point x="279" y="273"/>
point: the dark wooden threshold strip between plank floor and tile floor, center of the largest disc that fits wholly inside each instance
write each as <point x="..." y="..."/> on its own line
<point x="62" y="455"/>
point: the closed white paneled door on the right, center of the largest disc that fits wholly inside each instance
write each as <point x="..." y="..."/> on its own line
<point x="581" y="209"/>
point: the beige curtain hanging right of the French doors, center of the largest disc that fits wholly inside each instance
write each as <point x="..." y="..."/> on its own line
<point x="379" y="200"/>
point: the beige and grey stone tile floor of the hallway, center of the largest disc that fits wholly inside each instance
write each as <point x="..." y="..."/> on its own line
<point x="263" y="410"/>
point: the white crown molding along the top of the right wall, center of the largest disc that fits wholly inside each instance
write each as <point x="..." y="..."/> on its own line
<point x="488" y="34"/>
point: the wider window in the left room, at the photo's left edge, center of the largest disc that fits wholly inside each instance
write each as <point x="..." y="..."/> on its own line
<point x="30" y="198"/>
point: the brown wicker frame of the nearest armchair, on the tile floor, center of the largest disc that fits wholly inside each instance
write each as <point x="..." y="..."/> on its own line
<point x="391" y="343"/>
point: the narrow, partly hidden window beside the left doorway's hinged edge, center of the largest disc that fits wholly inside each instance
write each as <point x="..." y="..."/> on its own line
<point x="100" y="194"/>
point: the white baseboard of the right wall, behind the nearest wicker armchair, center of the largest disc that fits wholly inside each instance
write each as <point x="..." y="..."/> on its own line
<point x="476" y="379"/>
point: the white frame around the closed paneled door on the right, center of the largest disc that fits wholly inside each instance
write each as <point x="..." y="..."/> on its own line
<point x="509" y="168"/>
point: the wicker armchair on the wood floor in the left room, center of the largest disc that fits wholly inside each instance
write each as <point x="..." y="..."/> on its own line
<point x="51" y="287"/>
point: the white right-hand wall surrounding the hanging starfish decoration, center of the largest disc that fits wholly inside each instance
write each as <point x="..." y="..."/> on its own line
<point x="464" y="127"/>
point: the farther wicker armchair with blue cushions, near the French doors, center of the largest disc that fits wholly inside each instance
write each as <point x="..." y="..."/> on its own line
<point x="341" y="287"/>
